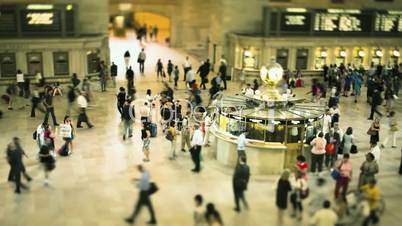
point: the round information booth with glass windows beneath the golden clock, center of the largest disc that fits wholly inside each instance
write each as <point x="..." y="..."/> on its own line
<point x="277" y="131"/>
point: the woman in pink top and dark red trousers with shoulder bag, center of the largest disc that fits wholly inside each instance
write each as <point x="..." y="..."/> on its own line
<point x="344" y="167"/>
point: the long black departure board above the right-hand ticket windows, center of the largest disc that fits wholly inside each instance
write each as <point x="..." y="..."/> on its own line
<point x="345" y="22"/>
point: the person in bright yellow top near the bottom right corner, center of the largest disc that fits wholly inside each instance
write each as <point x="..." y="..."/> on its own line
<point x="372" y="194"/>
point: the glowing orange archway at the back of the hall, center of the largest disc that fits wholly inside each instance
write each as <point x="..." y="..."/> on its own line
<point x="152" y="20"/>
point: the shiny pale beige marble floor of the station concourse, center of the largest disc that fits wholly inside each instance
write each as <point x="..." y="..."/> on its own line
<point x="94" y="187"/>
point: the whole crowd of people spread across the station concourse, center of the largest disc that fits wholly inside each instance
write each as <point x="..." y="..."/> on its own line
<point x="329" y="158"/>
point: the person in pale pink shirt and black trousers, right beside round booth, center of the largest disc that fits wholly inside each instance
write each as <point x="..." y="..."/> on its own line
<point x="318" y="152"/>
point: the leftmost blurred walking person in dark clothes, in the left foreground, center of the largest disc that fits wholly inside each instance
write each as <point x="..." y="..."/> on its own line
<point x="14" y="158"/>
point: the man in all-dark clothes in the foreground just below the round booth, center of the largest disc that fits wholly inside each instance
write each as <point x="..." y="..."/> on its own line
<point x="241" y="178"/>
